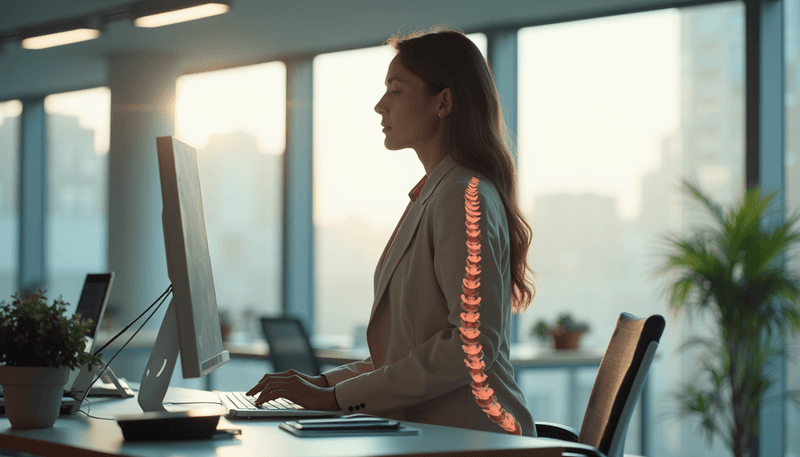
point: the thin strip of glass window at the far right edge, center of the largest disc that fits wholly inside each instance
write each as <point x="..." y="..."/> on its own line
<point x="792" y="176"/>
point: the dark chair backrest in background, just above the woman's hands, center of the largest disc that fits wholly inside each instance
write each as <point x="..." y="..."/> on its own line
<point x="289" y="347"/>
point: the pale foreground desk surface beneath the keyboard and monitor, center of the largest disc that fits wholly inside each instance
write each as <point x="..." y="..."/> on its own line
<point x="81" y="435"/>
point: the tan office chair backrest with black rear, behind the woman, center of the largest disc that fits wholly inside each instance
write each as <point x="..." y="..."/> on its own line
<point x="619" y="382"/>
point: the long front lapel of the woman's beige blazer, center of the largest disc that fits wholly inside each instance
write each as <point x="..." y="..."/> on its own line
<point x="408" y="228"/>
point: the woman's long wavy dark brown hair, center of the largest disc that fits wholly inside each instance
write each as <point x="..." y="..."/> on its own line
<point x="474" y="132"/>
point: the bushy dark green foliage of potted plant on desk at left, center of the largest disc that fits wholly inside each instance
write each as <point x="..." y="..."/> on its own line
<point x="35" y="334"/>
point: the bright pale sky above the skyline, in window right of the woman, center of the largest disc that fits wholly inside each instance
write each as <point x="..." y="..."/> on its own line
<point x="596" y="99"/>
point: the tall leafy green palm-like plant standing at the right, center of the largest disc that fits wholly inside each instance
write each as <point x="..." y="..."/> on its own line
<point x="734" y="270"/>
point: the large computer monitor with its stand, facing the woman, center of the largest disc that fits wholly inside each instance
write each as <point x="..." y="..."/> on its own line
<point x="191" y="323"/>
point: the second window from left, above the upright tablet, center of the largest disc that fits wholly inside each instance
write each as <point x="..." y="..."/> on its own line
<point x="77" y="190"/>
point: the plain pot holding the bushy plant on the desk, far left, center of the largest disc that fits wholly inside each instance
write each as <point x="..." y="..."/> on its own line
<point x="33" y="394"/>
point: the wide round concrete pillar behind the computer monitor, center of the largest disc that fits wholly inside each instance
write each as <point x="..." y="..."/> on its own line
<point x="142" y="108"/>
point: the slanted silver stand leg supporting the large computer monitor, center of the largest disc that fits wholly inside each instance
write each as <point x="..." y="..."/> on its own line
<point x="161" y="364"/>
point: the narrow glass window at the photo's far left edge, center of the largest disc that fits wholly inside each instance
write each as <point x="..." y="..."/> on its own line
<point x="9" y="183"/>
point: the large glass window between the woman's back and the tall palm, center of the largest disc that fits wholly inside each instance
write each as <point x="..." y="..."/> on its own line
<point x="613" y="112"/>
